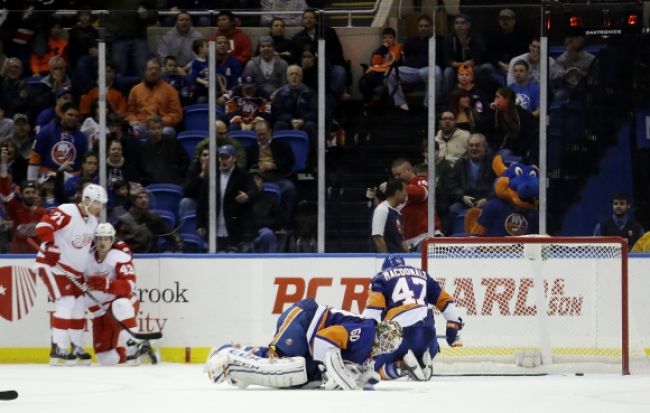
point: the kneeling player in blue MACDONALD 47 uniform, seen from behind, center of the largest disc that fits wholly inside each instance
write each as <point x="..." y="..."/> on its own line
<point x="403" y="293"/>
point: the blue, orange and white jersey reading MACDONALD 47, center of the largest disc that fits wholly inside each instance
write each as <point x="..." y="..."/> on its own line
<point x="403" y="294"/>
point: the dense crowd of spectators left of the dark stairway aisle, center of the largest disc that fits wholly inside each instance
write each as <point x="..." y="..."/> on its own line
<point x="49" y="120"/>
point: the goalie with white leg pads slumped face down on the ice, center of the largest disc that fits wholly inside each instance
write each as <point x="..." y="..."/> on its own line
<point x="314" y="345"/>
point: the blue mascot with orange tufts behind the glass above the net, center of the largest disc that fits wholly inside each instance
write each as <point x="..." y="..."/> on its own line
<point x="514" y="210"/>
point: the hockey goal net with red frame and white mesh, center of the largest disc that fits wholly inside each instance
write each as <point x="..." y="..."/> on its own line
<point x="536" y="305"/>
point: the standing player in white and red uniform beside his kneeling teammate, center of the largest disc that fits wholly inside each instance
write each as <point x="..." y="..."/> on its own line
<point x="66" y="234"/>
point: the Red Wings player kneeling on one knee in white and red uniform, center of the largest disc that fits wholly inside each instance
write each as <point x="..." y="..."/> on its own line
<point x="111" y="275"/>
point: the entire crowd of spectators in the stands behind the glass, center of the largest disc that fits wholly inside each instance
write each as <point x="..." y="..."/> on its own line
<point x="487" y="86"/>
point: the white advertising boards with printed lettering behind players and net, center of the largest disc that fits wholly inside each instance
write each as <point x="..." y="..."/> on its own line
<point x="205" y="301"/>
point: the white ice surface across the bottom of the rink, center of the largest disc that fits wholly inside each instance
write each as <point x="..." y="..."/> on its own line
<point x="185" y="388"/>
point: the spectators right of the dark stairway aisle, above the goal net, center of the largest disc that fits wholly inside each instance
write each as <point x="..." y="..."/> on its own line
<point x="488" y="98"/>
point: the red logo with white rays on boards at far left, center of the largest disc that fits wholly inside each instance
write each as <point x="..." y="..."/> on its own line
<point x="17" y="292"/>
